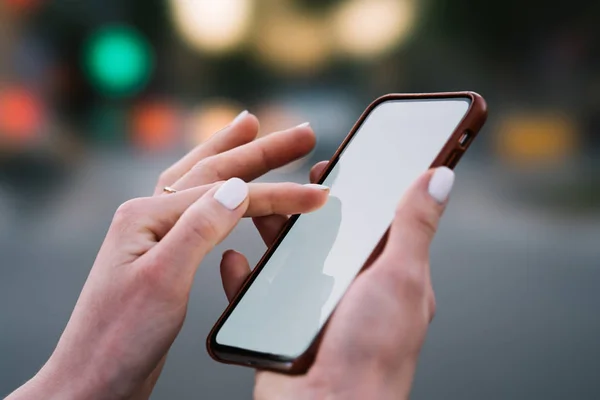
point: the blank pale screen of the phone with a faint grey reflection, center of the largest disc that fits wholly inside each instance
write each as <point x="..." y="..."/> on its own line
<point x="308" y="273"/>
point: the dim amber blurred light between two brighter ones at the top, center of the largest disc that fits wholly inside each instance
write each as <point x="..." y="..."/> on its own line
<point x="294" y="43"/>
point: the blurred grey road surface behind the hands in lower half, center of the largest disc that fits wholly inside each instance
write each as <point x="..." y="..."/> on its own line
<point x="517" y="291"/>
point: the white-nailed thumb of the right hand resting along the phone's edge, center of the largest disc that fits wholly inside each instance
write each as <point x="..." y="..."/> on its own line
<point x="418" y="215"/>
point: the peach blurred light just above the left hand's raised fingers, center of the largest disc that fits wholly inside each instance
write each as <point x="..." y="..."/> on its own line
<point x="208" y="119"/>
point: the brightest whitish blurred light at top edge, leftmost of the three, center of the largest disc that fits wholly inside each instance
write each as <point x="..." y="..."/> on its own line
<point x="212" y="26"/>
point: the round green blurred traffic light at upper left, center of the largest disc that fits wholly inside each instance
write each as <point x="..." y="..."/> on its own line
<point x="118" y="60"/>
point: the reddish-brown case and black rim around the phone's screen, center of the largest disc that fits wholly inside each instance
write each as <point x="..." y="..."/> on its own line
<point x="451" y="153"/>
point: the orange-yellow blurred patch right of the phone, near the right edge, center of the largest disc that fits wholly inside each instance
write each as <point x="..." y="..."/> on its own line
<point x="534" y="138"/>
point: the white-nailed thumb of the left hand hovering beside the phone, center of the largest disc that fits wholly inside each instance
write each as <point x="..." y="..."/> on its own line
<point x="201" y="227"/>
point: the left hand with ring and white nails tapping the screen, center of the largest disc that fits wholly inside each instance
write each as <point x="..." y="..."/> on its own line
<point x="135" y="298"/>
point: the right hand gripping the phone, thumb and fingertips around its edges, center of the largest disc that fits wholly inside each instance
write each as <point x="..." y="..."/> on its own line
<point x="373" y="340"/>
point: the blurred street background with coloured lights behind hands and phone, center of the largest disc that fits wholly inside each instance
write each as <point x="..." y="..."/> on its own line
<point x="97" y="97"/>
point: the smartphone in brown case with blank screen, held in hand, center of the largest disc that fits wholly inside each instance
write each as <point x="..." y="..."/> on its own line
<point x="277" y="319"/>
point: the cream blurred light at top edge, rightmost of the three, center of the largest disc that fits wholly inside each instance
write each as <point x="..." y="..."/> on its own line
<point x="371" y="27"/>
